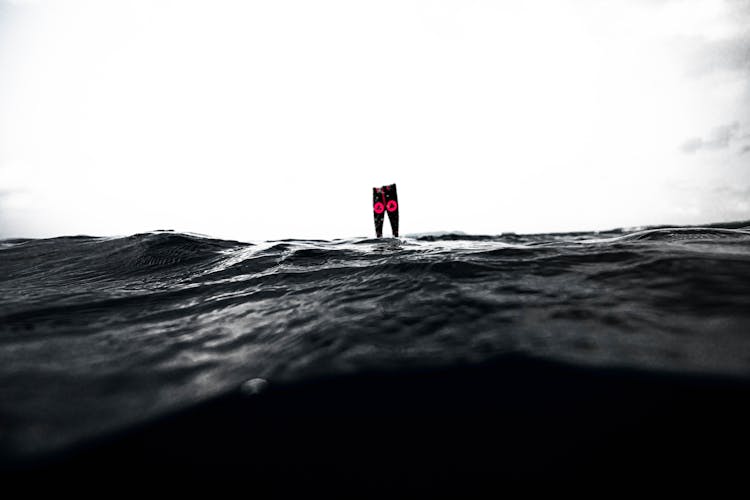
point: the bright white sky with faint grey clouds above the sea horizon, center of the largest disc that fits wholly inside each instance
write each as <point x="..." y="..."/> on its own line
<point x="273" y="119"/>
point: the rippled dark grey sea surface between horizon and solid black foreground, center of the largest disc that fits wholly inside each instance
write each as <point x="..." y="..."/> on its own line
<point x="100" y="336"/>
